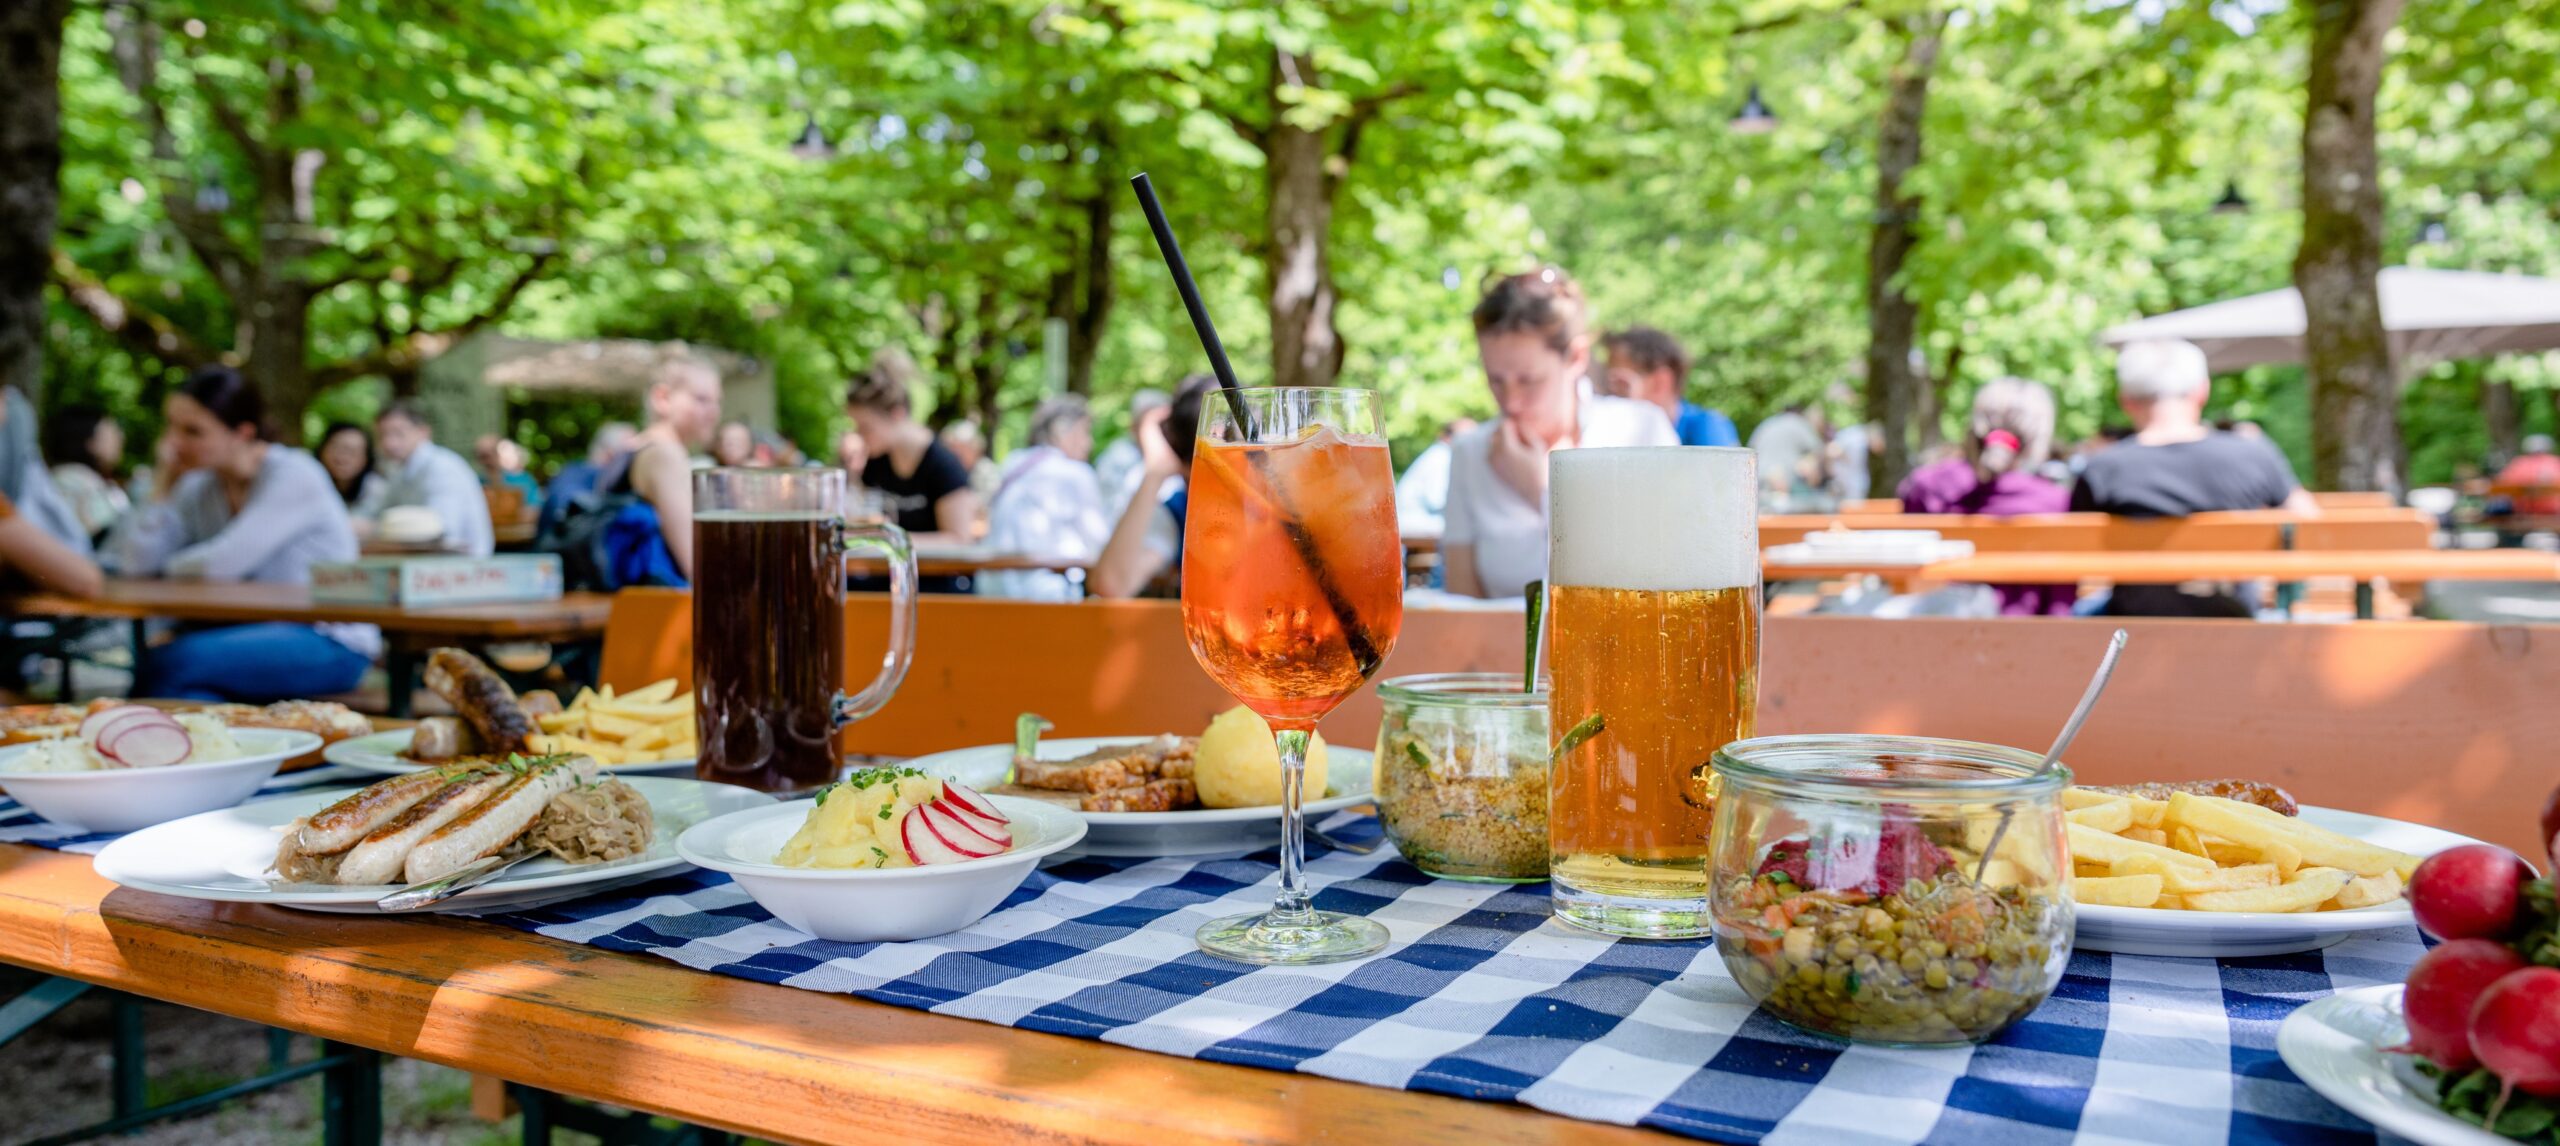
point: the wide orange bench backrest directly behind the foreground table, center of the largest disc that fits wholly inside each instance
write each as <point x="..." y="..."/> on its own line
<point x="2423" y="720"/>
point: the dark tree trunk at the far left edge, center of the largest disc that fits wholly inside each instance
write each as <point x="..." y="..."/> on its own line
<point x="29" y="180"/>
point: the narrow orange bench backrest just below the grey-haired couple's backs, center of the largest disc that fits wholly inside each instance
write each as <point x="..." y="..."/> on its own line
<point x="2088" y="533"/>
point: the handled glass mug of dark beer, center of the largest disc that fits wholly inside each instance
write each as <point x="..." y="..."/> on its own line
<point x="769" y="625"/>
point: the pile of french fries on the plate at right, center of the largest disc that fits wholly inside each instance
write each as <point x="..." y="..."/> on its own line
<point x="2203" y="853"/>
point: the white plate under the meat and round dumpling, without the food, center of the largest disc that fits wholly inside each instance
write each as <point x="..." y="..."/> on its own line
<point x="1161" y="833"/>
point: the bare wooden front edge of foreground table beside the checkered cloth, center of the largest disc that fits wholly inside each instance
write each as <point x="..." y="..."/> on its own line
<point x="652" y="1035"/>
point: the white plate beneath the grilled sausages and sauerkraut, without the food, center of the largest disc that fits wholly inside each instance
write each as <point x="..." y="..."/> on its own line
<point x="229" y="856"/>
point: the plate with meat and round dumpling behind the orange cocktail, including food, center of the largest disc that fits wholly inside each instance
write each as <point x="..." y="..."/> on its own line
<point x="1187" y="830"/>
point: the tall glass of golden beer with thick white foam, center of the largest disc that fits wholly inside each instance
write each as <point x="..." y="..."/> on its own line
<point x="1655" y="654"/>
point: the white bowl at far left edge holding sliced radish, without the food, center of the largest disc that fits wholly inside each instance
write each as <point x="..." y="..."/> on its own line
<point x="129" y="799"/>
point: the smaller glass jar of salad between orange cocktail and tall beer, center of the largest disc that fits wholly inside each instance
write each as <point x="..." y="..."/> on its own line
<point x="1463" y="776"/>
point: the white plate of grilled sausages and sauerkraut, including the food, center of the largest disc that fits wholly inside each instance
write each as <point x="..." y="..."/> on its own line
<point x="232" y="856"/>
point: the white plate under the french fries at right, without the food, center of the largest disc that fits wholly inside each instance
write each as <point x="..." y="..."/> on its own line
<point x="2236" y="935"/>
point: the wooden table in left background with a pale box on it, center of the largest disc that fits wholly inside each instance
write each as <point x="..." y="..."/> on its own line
<point x="406" y="631"/>
